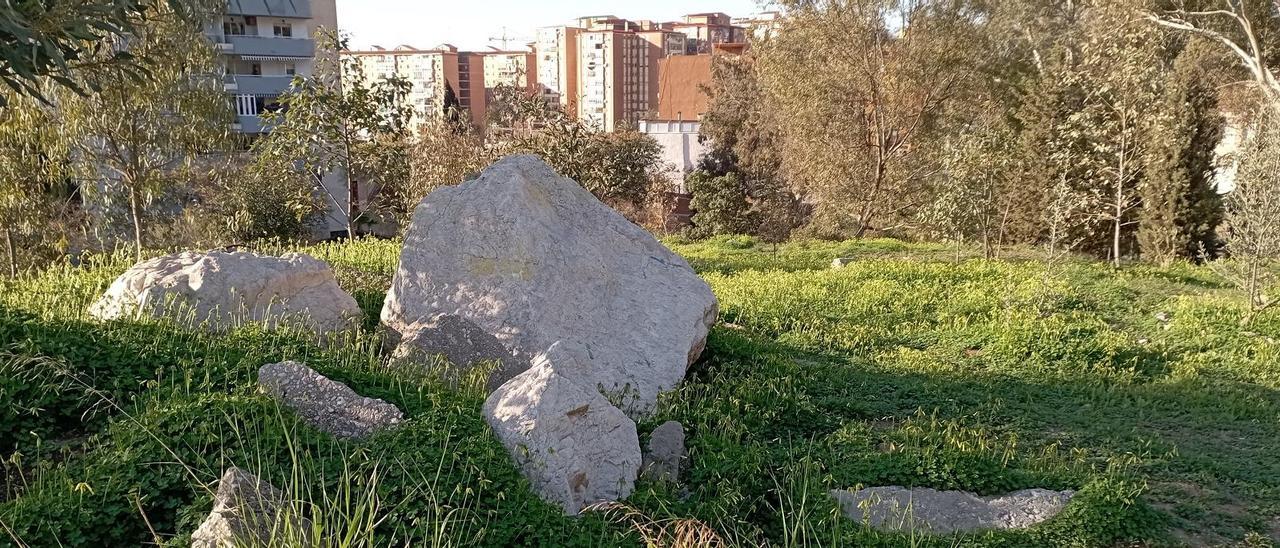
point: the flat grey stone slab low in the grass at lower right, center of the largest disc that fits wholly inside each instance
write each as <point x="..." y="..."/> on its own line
<point x="897" y="509"/>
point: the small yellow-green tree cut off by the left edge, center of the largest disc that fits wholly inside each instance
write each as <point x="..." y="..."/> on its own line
<point x="34" y="162"/>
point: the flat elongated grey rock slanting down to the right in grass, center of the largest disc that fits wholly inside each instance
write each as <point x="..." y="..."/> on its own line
<point x="324" y="404"/>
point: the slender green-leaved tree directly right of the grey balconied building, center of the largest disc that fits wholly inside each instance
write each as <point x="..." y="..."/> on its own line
<point x="336" y="124"/>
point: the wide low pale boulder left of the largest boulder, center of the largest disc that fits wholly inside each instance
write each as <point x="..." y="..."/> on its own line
<point x="222" y="290"/>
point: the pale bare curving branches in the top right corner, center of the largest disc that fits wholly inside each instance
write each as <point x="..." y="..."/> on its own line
<point x="1238" y="26"/>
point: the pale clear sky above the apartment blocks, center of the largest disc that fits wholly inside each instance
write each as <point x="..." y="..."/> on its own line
<point x="472" y="24"/>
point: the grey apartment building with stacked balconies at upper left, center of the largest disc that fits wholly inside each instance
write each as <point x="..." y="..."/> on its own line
<point x="264" y="44"/>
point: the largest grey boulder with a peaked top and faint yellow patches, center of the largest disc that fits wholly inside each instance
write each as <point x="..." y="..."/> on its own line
<point x="533" y="258"/>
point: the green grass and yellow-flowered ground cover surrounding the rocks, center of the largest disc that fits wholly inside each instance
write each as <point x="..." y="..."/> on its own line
<point x="916" y="366"/>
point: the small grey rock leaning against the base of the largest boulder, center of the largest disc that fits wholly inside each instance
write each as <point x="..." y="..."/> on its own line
<point x="463" y="344"/>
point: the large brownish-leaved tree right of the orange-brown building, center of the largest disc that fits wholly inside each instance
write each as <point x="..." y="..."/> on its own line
<point x="863" y="88"/>
